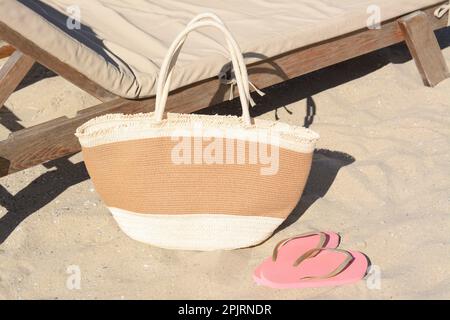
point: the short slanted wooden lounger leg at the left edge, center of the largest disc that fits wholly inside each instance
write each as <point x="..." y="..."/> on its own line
<point x="12" y="73"/>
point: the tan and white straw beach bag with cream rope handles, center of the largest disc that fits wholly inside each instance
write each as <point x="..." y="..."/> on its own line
<point x="197" y="182"/>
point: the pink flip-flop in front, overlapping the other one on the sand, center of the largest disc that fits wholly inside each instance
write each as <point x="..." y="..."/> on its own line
<point x="328" y="267"/>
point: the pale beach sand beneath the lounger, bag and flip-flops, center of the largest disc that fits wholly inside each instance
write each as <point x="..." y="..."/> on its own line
<point x="380" y="178"/>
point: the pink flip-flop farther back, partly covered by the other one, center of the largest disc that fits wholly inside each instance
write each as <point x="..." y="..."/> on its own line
<point x="289" y="250"/>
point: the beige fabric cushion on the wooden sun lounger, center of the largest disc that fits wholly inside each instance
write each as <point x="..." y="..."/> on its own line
<point x="121" y="43"/>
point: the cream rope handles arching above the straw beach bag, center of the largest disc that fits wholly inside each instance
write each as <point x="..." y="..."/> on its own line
<point x="164" y="79"/>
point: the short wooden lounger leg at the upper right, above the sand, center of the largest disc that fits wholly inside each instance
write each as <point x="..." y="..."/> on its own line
<point x="424" y="48"/>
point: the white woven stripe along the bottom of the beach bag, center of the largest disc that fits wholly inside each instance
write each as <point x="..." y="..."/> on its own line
<point x="205" y="232"/>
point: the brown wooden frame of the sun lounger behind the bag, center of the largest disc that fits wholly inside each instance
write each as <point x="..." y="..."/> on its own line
<point x="55" y="139"/>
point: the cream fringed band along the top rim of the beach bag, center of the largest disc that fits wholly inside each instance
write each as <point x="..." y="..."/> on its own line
<point x="112" y="128"/>
